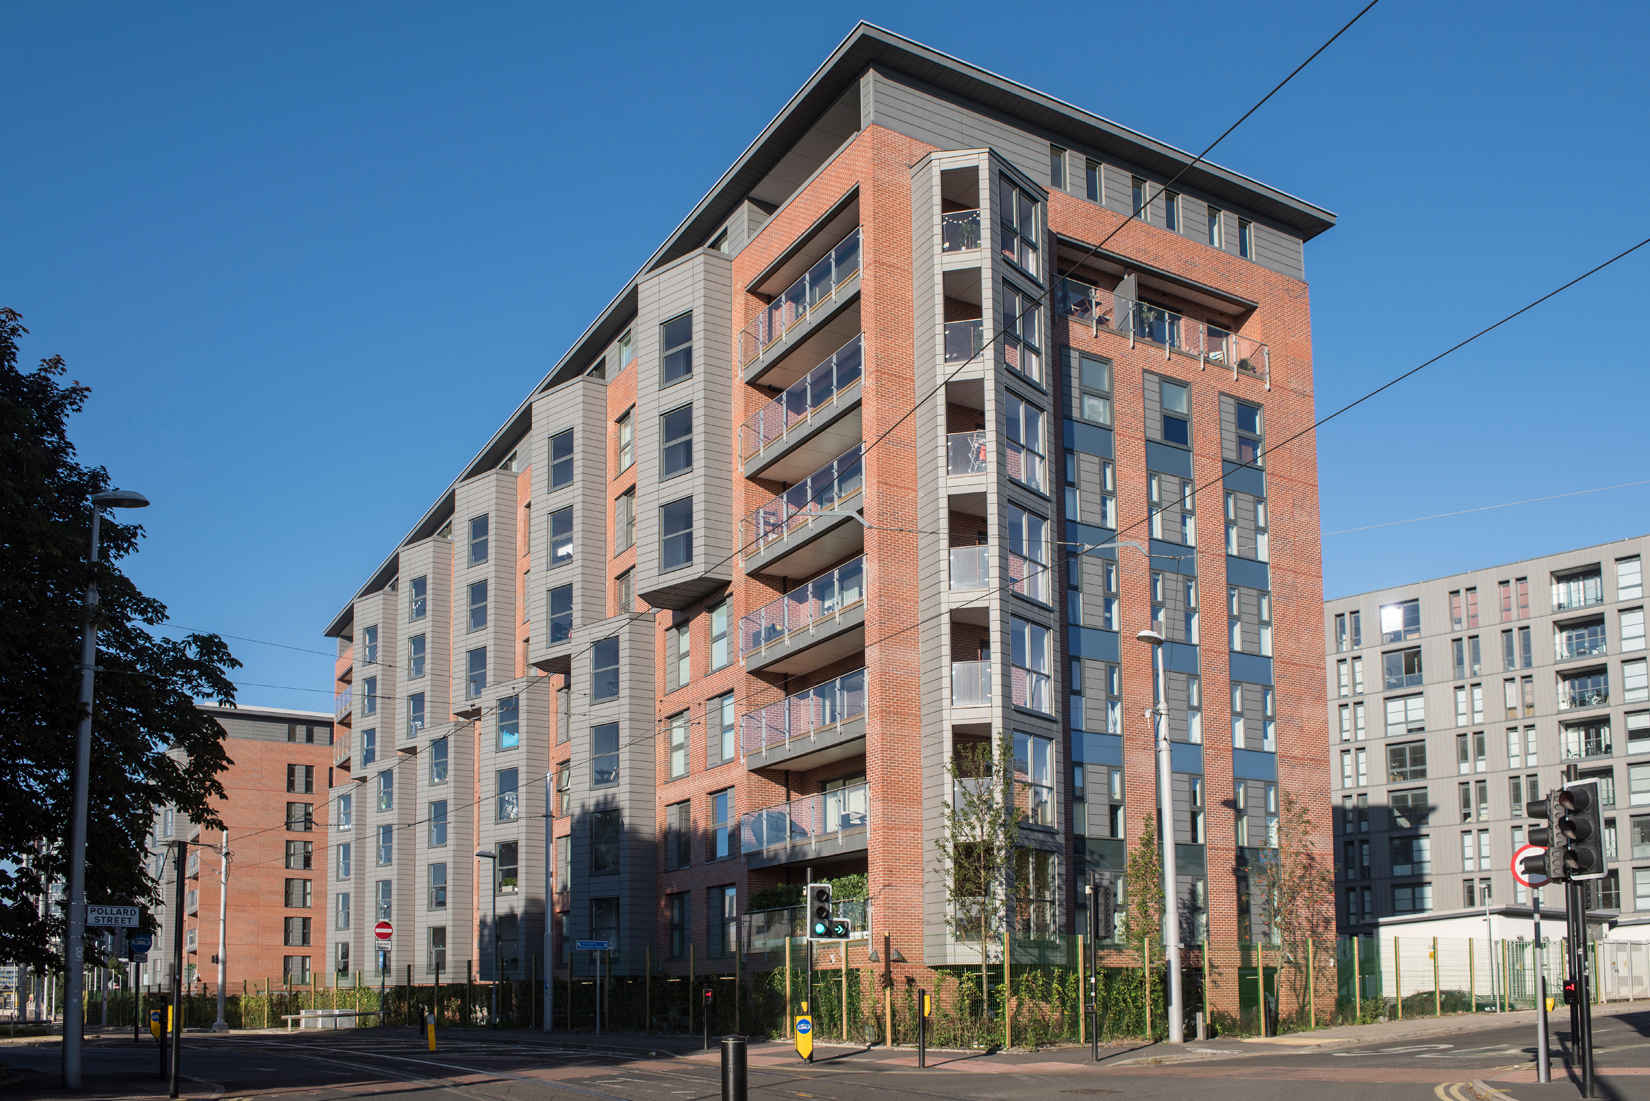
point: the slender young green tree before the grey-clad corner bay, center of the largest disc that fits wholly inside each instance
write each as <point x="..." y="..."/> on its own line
<point x="978" y="844"/>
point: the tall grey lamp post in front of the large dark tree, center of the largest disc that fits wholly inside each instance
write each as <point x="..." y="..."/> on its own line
<point x="73" y="943"/>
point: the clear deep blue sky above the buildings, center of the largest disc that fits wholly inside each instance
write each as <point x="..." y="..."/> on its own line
<point x="311" y="255"/>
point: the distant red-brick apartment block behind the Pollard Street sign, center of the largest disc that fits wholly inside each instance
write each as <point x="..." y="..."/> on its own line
<point x="276" y="818"/>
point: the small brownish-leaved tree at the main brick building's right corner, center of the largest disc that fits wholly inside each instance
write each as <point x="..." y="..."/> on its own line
<point x="1294" y="889"/>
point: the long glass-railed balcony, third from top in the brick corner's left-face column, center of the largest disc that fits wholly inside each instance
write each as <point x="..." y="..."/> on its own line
<point x="811" y="524"/>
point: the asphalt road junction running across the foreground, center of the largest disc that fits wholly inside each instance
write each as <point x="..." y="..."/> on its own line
<point x="394" y="1066"/>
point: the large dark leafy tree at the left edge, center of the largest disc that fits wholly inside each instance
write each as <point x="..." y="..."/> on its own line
<point x="146" y="686"/>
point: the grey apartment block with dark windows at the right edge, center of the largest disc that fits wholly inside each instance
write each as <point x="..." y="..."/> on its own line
<point x="1458" y="701"/>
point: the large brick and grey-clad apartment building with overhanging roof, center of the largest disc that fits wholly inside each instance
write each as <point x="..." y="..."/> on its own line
<point x="796" y="519"/>
